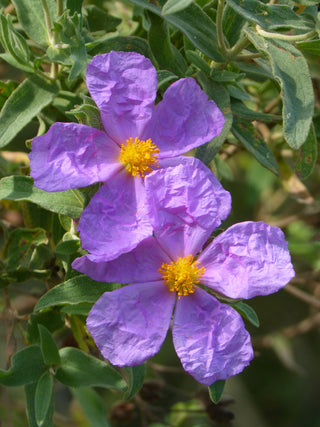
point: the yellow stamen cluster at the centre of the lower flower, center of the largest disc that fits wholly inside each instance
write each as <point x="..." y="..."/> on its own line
<point x="182" y="276"/>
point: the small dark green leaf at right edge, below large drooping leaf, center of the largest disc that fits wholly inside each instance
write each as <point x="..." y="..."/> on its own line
<point x="308" y="155"/>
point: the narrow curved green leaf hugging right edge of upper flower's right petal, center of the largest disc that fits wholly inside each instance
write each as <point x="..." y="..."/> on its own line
<point x="221" y="97"/>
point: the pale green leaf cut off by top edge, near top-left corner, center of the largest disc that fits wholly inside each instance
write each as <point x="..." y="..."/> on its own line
<point x="32" y="19"/>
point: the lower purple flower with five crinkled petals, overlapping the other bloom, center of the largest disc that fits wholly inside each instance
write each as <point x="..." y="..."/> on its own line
<point x="168" y="272"/>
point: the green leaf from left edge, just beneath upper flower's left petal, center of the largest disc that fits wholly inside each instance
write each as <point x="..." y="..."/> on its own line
<point x="21" y="188"/>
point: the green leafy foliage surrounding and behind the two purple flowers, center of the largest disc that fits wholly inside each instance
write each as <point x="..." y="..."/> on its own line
<point x="259" y="61"/>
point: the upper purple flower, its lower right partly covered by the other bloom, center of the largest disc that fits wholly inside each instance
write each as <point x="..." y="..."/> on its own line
<point x="137" y="138"/>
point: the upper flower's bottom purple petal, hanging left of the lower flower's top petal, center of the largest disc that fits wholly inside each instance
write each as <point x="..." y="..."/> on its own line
<point x="115" y="221"/>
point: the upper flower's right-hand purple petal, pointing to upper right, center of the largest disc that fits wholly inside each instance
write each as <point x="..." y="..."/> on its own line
<point x="184" y="119"/>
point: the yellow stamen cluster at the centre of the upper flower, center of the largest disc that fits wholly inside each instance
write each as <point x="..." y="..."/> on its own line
<point x="137" y="156"/>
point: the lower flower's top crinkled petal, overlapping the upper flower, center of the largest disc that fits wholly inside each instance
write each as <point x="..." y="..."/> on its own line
<point x="185" y="203"/>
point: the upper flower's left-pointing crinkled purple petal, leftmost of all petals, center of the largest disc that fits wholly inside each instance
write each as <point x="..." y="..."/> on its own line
<point x="71" y="155"/>
